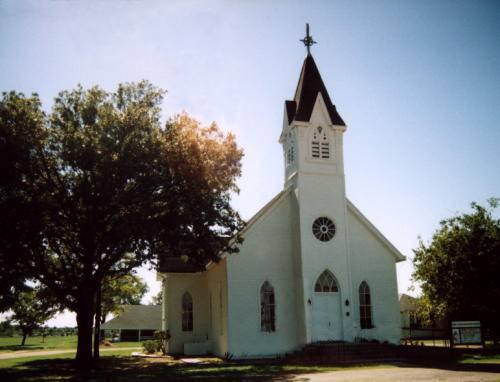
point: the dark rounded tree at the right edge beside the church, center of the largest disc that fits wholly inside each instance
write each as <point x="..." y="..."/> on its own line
<point x="458" y="270"/>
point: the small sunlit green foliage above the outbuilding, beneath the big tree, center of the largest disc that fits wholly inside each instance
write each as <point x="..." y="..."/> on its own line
<point x="121" y="290"/>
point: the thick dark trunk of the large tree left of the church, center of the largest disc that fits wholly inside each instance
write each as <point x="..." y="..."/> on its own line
<point x="84" y="318"/>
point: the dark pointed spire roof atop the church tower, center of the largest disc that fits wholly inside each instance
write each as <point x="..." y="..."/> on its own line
<point x="308" y="87"/>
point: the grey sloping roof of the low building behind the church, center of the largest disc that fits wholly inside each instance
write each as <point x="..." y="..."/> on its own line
<point x="136" y="317"/>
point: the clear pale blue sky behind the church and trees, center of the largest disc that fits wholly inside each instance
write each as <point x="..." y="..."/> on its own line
<point x="417" y="82"/>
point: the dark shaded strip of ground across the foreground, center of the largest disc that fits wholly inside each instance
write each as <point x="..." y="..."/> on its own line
<point x="124" y="369"/>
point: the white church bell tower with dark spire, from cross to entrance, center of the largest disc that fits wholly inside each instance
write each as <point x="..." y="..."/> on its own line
<point x="312" y="141"/>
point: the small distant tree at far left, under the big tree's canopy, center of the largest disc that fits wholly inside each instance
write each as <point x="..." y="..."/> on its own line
<point x="32" y="308"/>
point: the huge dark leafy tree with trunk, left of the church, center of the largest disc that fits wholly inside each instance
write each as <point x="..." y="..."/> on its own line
<point x="104" y="188"/>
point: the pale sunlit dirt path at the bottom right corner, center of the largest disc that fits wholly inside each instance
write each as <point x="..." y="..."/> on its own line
<point x="399" y="374"/>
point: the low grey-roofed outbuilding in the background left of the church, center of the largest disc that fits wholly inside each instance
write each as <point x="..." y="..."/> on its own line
<point x="134" y="323"/>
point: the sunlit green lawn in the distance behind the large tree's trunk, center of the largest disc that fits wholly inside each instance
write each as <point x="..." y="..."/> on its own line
<point x="9" y="344"/>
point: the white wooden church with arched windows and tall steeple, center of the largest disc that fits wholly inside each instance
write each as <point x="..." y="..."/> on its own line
<point x="311" y="267"/>
